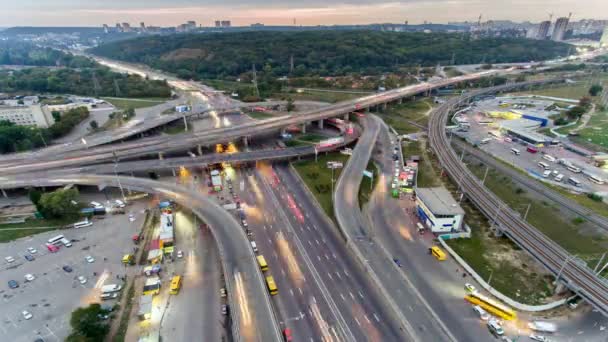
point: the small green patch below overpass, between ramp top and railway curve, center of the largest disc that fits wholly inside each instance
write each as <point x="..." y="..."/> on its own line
<point x="415" y="111"/>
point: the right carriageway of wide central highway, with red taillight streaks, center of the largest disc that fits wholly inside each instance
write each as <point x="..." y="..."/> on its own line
<point x="362" y="311"/>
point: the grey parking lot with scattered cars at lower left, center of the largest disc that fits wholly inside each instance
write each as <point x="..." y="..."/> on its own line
<point x="55" y="293"/>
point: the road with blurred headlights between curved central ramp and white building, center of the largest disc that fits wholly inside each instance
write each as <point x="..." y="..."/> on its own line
<point x="394" y="228"/>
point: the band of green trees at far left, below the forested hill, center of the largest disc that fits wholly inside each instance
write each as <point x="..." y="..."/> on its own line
<point x="97" y="81"/>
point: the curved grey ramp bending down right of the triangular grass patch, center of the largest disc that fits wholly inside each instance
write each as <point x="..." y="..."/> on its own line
<point x="407" y="304"/>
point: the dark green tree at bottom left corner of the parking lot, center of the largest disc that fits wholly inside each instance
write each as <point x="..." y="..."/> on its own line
<point x="87" y="325"/>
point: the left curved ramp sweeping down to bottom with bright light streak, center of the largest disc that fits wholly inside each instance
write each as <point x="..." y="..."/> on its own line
<point x="253" y="316"/>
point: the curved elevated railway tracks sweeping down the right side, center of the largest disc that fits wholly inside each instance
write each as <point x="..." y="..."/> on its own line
<point x="573" y="272"/>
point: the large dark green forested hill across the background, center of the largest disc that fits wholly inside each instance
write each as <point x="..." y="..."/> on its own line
<point x="320" y="53"/>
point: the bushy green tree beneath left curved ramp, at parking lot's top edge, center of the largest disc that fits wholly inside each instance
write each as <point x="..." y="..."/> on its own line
<point x="59" y="204"/>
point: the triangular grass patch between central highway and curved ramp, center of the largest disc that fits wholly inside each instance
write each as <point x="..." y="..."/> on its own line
<point x="317" y="177"/>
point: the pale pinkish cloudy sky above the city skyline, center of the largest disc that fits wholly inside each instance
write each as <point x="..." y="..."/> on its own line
<point x="275" y="12"/>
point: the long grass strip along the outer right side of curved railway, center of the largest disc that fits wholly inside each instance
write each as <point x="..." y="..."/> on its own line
<point x="544" y="216"/>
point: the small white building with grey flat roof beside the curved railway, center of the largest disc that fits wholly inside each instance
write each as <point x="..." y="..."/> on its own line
<point x="437" y="210"/>
